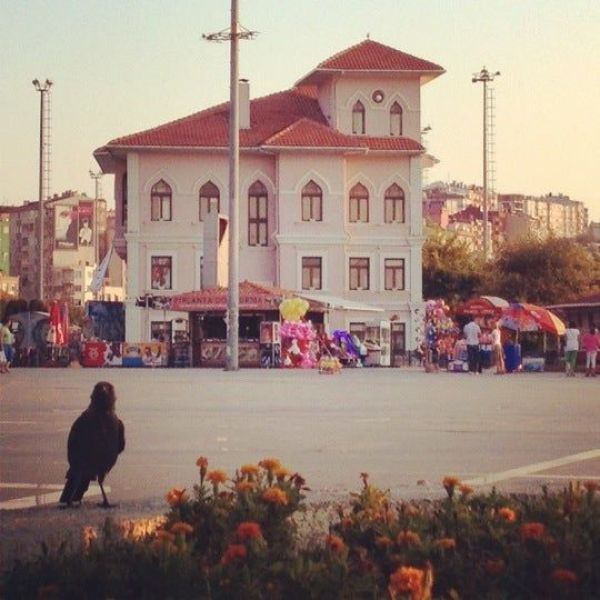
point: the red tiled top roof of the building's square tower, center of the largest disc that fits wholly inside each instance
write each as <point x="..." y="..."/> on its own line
<point x="373" y="56"/>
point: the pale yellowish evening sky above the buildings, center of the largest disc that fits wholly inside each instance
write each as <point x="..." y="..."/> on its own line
<point x="124" y="66"/>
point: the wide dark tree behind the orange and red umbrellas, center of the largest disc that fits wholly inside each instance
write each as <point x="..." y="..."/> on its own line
<point x="543" y="271"/>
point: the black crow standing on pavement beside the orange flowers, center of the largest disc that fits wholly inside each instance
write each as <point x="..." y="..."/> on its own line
<point x="96" y="439"/>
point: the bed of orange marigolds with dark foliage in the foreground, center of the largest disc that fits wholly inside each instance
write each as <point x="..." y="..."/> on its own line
<point x="238" y="537"/>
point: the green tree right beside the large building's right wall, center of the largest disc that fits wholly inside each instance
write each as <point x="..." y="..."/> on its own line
<point x="450" y="270"/>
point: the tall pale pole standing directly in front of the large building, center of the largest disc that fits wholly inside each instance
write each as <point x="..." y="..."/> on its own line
<point x="233" y="35"/>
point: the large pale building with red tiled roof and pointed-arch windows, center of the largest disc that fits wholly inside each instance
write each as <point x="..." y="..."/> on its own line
<point x="330" y="190"/>
